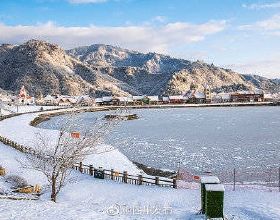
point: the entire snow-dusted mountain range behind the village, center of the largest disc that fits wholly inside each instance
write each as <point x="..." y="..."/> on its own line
<point x="101" y="69"/>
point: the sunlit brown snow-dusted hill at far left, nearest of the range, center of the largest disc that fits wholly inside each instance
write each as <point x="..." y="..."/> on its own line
<point x="46" y="68"/>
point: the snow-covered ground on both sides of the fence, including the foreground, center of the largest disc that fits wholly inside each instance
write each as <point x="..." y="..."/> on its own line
<point x="87" y="198"/>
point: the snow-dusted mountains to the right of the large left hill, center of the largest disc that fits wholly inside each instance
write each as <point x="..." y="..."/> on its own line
<point x="159" y="74"/>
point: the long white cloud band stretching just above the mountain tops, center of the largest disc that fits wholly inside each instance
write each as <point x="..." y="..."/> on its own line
<point x="142" y="38"/>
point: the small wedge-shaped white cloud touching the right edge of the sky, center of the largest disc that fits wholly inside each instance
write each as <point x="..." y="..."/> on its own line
<point x="271" y="25"/>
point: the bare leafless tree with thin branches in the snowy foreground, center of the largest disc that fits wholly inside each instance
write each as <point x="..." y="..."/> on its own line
<point x="55" y="159"/>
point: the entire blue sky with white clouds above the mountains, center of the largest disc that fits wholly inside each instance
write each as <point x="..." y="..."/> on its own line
<point x="242" y="35"/>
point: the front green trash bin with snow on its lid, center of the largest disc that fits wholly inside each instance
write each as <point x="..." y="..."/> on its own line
<point x="214" y="200"/>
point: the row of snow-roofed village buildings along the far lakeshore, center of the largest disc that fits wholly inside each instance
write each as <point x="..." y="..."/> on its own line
<point x="191" y="96"/>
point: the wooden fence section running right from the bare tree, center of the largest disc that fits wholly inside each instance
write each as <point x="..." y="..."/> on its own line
<point x="124" y="176"/>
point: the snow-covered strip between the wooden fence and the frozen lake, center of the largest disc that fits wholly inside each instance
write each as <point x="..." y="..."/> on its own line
<point x="19" y="130"/>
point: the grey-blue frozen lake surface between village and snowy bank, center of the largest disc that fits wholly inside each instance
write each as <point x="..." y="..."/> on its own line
<point x="200" y="139"/>
